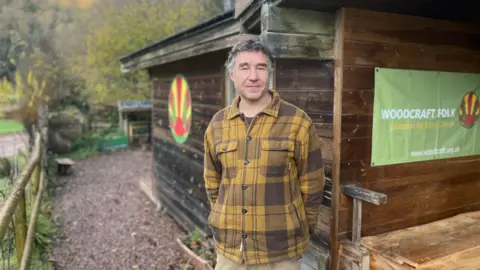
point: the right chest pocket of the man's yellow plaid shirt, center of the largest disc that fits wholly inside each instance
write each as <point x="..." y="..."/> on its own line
<point x="277" y="157"/>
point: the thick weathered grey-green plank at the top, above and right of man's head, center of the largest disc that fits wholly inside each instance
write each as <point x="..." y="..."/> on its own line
<point x="288" y="20"/>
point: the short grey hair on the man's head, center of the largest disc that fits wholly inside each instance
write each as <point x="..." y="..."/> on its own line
<point x="250" y="45"/>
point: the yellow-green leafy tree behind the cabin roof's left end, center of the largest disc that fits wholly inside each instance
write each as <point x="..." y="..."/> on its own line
<point x="113" y="30"/>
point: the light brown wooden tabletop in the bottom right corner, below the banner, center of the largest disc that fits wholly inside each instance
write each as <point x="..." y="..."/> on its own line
<point x="431" y="242"/>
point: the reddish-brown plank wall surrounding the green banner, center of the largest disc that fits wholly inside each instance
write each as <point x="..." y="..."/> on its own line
<point x="419" y="192"/>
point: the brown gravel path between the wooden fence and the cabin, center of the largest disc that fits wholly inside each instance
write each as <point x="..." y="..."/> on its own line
<point x="105" y="220"/>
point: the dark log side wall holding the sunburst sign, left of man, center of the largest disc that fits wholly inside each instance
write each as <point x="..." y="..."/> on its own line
<point x="179" y="168"/>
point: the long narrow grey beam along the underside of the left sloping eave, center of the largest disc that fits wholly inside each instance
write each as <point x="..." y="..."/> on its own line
<point x="211" y="46"/>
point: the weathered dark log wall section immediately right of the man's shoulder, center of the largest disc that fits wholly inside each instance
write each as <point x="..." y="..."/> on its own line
<point x="308" y="84"/>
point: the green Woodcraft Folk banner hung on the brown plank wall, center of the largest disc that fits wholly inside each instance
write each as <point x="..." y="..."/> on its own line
<point x="424" y="115"/>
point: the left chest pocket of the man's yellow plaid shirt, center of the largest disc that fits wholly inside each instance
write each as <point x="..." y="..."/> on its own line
<point x="227" y="154"/>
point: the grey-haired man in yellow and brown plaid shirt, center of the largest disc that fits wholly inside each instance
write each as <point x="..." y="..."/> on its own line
<point x="263" y="170"/>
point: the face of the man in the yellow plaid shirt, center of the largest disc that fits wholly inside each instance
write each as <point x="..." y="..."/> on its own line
<point x="250" y="75"/>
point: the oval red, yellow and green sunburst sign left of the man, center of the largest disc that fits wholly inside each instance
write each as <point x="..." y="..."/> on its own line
<point x="180" y="109"/>
